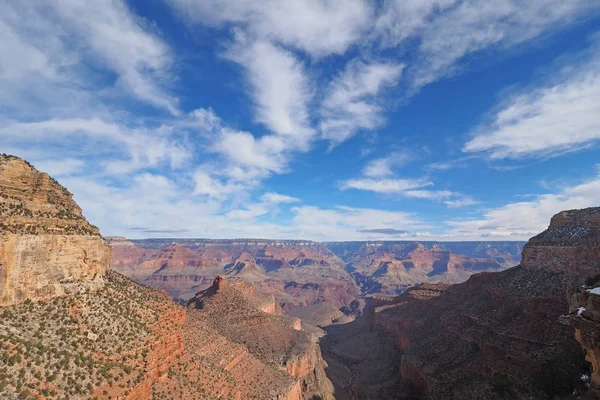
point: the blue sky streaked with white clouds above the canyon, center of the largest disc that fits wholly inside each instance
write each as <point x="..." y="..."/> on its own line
<point x="316" y="119"/>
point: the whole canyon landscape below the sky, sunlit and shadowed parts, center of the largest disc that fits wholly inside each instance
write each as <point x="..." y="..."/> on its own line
<point x="282" y="319"/>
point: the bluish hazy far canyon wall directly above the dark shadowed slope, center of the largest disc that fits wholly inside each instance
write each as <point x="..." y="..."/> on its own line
<point x="392" y="267"/>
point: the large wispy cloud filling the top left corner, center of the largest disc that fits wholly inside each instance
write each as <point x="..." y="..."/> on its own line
<point x="45" y="45"/>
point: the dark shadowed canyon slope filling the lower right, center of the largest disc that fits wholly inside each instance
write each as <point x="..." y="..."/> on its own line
<point x="495" y="336"/>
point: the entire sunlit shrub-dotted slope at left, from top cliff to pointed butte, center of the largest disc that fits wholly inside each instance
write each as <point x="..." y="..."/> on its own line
<point x="71" y="328"/>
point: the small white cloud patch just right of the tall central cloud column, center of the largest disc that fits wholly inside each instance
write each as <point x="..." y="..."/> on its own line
<point x="352" y="101"/>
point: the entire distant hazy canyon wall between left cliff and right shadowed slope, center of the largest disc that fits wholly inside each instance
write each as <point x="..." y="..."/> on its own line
<point x="320" y="283"/>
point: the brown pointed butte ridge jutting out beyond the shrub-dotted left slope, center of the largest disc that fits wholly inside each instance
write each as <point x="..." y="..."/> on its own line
<point x="275" y="340"/>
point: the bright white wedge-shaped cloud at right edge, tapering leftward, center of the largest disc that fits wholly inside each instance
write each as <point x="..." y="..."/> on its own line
<point x="561" y="115"/>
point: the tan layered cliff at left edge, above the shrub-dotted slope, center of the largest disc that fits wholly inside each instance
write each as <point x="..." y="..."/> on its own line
<point x="47" y="248"/>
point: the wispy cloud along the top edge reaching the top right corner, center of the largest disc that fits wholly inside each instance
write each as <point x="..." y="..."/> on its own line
<point x="449" y="30"/>
